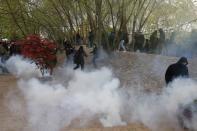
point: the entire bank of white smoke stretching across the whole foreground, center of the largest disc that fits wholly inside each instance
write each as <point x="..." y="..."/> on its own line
<point x="97" y="94"/>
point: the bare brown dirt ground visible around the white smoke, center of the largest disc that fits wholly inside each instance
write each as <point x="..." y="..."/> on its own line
<point x="128" y="67"/>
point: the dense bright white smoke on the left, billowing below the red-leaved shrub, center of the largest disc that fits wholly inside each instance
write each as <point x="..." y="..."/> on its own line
<point x="85" y="95"/>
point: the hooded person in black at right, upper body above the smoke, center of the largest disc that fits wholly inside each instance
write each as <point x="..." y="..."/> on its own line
<point x="176" y="70"/>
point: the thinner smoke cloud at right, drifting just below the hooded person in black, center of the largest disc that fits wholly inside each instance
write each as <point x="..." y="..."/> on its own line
<point x="159" y="111"/>
